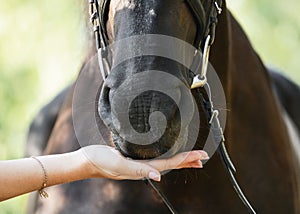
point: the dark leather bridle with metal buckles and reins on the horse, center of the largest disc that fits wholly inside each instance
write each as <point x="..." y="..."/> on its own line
<point x="206" y="27"/>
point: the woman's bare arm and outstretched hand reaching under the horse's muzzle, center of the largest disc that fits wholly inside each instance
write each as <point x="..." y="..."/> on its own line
<point x="25" y="175"/>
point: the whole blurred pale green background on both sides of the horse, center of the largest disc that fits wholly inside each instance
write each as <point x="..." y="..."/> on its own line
<point x="41" y="50"/>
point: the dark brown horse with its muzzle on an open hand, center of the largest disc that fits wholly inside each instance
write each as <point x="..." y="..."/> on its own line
<point x="260" y="105"/>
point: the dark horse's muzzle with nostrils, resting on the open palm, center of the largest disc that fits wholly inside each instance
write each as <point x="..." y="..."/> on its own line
<point x="146" y="123"/>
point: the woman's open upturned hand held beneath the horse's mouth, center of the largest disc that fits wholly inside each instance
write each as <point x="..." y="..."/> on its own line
<point x="105" y="161"/>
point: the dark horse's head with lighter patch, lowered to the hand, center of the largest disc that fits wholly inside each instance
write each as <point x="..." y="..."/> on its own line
<point x="153" y="119"/>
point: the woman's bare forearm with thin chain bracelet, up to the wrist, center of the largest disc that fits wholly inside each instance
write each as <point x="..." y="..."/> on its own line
<point x="25" y="175"/>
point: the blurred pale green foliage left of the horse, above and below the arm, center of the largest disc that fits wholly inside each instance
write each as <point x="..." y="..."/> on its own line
<point x="40" y="53"/>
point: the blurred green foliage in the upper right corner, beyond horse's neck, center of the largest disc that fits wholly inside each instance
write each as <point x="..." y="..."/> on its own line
<point x="274" y="29"/>
